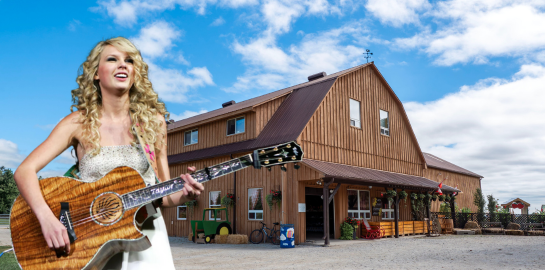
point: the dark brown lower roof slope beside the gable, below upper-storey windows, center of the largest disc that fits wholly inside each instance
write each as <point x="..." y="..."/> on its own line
<point x="286" y="124"/>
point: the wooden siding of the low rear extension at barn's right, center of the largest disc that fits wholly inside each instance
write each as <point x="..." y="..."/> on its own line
<point x="467" y="184"/>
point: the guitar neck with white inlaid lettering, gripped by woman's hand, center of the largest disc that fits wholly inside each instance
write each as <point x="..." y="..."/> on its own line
<point x="148" y="194"/>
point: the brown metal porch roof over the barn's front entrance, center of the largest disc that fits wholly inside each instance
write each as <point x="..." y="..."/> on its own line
<point x="369" y="176"/>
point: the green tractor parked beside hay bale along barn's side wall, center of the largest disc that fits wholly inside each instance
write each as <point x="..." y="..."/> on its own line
<point x="211" y="228"/>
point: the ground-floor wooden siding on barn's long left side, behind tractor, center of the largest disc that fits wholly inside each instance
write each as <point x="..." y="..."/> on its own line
<point x="247" y="178"/>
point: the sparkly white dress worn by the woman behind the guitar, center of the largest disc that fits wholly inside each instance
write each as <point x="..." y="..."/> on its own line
<point x="158" y="256"/>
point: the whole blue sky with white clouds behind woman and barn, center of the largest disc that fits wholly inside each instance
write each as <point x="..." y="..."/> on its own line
<point x="470" y="72"/>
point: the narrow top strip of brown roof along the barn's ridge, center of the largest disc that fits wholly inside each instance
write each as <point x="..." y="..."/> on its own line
<point x="241" y="106"/>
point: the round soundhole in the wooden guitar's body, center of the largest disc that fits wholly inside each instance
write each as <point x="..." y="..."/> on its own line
<point x="107" y="209"/>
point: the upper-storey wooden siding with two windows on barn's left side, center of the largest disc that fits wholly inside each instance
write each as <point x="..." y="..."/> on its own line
<point x="215" y="133"/>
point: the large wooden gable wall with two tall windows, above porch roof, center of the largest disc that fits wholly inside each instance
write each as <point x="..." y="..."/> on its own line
<point x="329" y="137"/>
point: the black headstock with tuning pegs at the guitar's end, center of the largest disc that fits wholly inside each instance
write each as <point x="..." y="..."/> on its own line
<point x="279" y="154"/>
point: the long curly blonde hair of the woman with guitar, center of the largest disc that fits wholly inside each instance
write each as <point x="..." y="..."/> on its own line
<point x="144" y="104"/>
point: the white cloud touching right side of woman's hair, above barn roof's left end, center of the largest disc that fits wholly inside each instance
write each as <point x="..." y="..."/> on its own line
<point x="172" y="84"/>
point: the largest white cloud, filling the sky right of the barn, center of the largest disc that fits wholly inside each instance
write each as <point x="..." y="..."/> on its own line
<point x="495" y="128"/>
